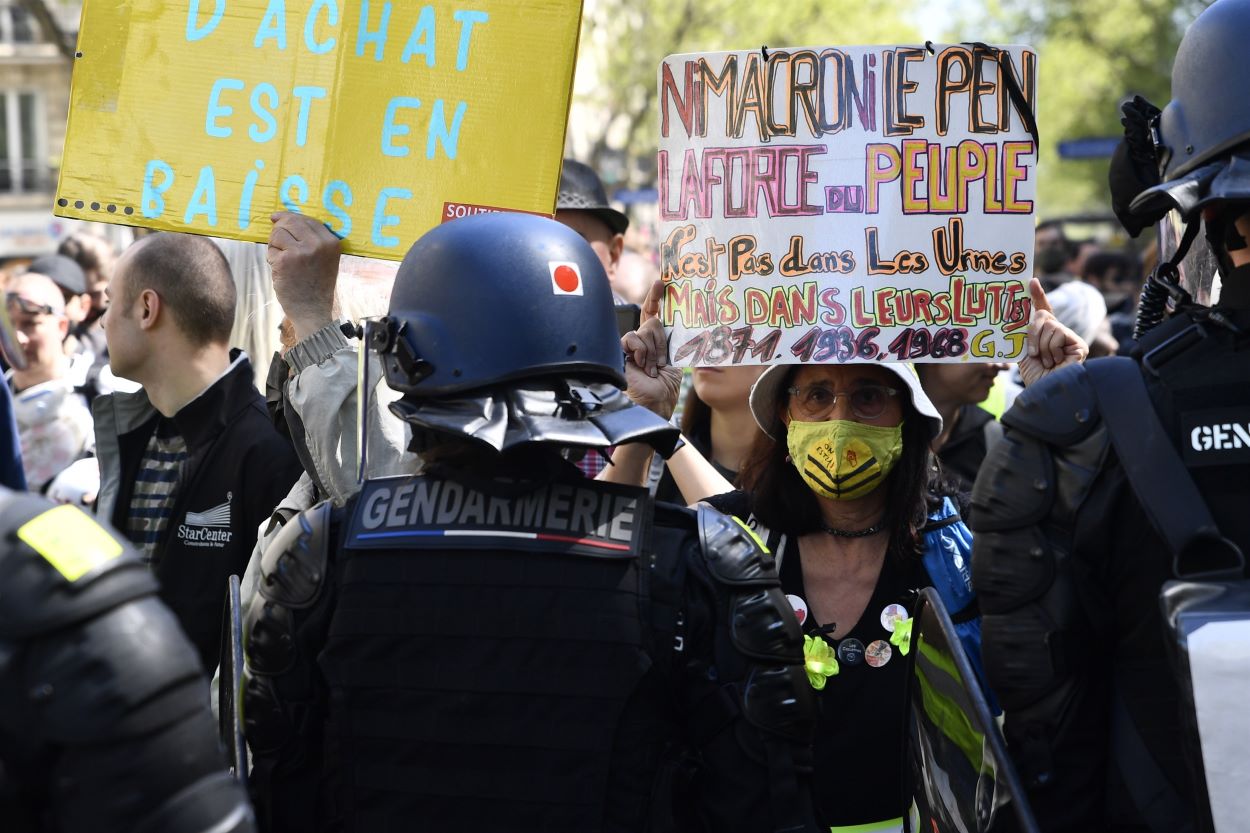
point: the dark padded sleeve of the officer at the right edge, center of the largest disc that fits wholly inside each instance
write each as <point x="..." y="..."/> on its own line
<point x="1041" y="598"/>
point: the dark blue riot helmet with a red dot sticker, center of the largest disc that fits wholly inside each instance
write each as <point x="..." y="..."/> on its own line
<point x="497" y="298"/>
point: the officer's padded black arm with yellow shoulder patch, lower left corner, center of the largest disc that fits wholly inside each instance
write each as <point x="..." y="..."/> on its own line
<point x="104" y="716"/>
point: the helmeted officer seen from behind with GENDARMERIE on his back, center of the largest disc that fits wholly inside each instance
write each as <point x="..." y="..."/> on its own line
<point x="496" y="644"/>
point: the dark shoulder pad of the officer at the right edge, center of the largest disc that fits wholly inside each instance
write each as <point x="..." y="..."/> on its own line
<point x="1061" y="410"/>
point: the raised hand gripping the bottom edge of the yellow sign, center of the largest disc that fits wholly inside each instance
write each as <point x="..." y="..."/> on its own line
<point x="304" y="258"/>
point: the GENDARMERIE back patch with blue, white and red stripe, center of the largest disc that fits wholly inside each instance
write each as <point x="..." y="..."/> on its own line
<point x="586" y="518"/>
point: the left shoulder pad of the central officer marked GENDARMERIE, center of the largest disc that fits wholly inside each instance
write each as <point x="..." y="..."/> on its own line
<point x="293" y="566"/>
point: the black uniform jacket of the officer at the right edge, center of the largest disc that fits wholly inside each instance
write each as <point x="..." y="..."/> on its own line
<point x="1069" y="567"/>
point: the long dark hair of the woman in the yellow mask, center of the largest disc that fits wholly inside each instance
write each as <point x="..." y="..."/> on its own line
<point x="782" y="501"/>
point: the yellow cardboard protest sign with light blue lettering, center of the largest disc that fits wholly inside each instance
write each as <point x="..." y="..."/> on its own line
<point x="381" y="119"/>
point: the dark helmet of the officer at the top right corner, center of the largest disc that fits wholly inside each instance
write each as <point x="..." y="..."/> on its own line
<point x="1204" y="132"/>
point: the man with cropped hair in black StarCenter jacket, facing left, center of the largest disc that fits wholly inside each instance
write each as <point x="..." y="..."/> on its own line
<point x="191" y="466"/>
